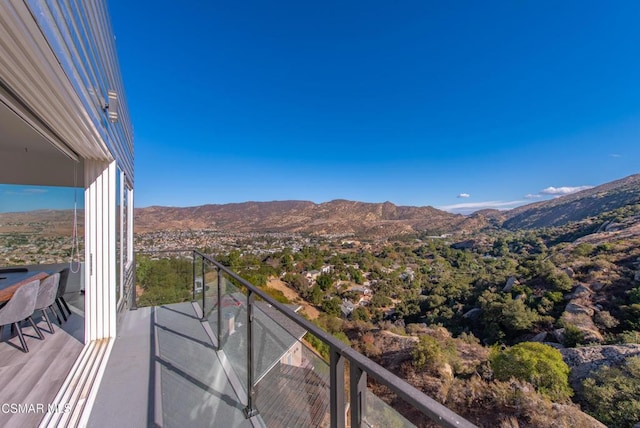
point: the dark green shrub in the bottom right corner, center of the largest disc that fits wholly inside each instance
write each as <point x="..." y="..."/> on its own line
<point x="613" y="394"/>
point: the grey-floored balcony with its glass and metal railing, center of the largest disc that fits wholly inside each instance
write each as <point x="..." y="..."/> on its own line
<point x="230" y="355"/>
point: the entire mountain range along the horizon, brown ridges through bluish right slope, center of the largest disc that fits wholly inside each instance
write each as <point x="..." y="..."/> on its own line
<point x="342" y="217"/>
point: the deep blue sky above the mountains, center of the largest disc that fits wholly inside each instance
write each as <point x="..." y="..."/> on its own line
<point x="485" y="104"/>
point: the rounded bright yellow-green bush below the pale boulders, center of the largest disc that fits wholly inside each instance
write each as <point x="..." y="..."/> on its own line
<point x="536" y="363"/>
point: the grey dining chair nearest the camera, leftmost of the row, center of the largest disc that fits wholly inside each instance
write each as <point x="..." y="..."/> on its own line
<point x="21" y="307"/>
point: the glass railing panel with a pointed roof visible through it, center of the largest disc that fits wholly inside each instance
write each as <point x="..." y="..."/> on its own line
<point x="291" y="380"/>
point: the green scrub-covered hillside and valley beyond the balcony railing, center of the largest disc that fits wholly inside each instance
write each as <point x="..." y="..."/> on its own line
<point x="464" y="313"/>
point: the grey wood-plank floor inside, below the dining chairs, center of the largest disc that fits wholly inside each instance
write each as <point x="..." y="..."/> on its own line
<point x="32" y="379"/>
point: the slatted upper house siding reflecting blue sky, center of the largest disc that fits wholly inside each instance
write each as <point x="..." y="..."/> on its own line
<point x="80" y="35"/>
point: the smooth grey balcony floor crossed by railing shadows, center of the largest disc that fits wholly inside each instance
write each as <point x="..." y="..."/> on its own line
<point x="164" y="371"/>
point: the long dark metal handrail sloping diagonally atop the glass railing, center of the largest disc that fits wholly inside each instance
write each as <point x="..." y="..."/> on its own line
<point x="427" y="405"/>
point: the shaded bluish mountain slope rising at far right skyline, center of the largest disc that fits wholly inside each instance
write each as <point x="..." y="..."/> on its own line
<point x="575" y="207"/>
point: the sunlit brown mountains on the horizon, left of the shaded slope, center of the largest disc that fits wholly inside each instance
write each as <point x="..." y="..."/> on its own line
<point x="339" y="217"/>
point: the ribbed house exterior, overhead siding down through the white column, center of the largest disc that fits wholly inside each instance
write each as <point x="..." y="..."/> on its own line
<point x="59" y="72"/>
